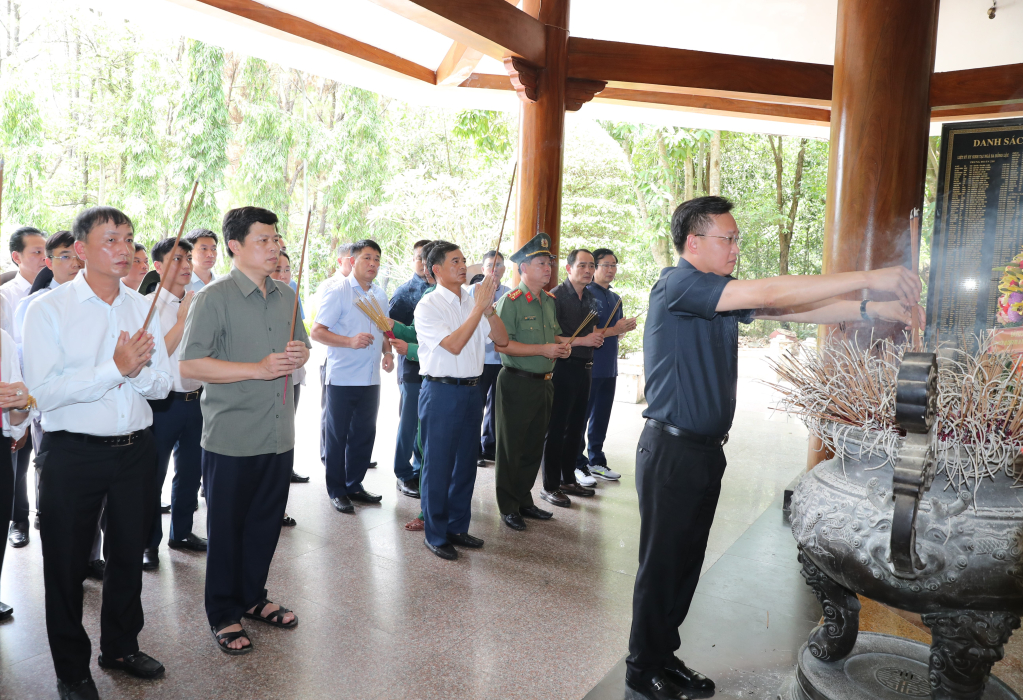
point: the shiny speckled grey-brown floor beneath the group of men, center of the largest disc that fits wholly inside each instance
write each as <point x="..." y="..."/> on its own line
<point x="540" y="615"/>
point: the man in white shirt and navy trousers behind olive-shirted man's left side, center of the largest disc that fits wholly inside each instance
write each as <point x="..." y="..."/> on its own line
<point x="177" y="420"/>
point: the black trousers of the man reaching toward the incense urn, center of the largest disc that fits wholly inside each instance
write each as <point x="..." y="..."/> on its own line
<point x="679" y="483"/>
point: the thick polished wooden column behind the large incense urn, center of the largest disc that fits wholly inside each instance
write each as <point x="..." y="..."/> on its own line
<point x="884" y="57"/>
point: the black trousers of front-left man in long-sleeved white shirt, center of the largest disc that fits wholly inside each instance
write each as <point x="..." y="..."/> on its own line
<point x="76" y="477"/>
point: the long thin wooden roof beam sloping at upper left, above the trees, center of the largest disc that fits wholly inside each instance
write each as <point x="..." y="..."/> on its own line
<point x="280" y="24"/>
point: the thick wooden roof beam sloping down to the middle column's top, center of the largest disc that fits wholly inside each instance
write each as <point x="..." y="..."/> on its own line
<point x="495" y="28"/>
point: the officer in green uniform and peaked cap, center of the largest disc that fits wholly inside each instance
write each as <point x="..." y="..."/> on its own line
<point x="525" y="395"/>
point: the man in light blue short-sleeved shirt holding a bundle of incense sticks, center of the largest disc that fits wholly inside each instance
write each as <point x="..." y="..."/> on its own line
<point x="353" y="378"/>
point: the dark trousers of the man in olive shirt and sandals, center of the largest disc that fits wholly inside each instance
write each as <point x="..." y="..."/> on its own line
<point x="246" y="501"/>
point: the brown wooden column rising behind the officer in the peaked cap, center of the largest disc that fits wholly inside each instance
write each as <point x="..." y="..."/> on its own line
<point x="542" y="138"/>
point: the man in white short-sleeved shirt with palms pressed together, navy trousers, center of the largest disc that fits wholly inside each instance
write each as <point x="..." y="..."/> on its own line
<point x="453" y="332"/>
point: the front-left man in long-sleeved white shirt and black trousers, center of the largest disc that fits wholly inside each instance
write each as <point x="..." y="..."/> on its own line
<point x="92" y="368"/>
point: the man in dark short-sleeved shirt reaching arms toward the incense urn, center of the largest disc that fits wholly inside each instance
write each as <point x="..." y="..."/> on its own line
<point x="691" y="349"/>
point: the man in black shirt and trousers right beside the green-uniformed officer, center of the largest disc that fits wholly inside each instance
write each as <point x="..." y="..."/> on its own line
<point x="573" y="303"/>
